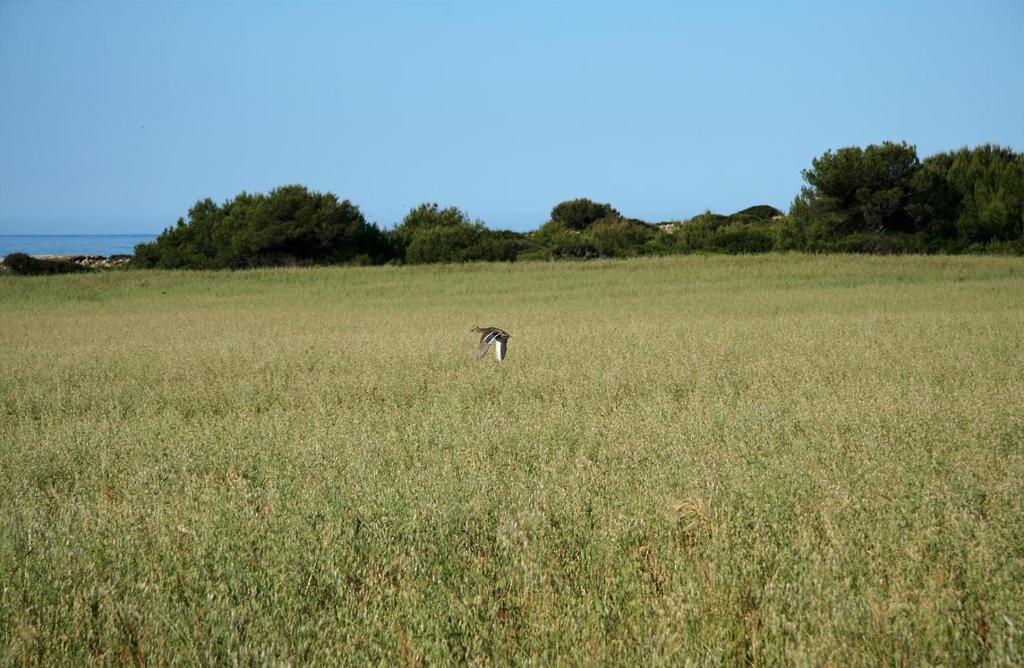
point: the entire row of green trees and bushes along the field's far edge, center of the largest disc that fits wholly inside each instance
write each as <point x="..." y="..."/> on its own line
<point x="881" y="199"/>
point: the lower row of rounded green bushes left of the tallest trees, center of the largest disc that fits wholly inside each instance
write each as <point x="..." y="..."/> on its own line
<point x="294" y="226"/>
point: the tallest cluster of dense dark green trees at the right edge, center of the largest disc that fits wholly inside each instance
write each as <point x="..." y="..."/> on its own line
<point x="952" y="200"/>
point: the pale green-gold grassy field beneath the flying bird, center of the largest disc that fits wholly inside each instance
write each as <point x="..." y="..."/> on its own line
<point x="809" y="461"/>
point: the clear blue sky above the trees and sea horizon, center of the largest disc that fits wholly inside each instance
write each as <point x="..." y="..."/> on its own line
<point x="118" y="117"/>
